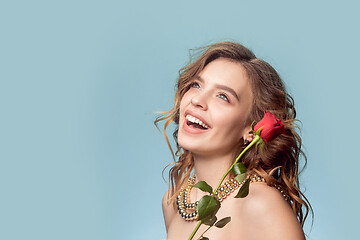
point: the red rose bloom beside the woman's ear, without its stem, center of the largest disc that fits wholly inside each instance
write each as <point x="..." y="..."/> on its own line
<point x="271" y="127"/>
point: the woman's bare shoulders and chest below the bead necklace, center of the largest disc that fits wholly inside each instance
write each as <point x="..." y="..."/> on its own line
<point x="263" y="214"/>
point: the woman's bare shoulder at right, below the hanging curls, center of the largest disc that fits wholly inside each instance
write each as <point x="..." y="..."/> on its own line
<point x="267" y="215"/>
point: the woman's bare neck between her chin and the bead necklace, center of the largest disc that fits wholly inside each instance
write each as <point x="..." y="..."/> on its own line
<point x="211" y="169"/>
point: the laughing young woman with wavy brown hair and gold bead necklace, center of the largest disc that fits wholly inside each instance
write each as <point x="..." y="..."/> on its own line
<point x="219" y="97"/>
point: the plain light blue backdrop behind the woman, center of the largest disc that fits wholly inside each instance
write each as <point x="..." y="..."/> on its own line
<point x="81" y="82"/>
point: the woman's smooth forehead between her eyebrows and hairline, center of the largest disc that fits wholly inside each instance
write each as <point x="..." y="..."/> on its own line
<point x="228" y="73"/>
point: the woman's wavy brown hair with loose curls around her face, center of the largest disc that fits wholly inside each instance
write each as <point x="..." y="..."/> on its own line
<point x="278" y="163"/>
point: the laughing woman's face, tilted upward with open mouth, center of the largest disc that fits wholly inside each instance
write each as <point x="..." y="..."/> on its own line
<point x="213" y="112"/>
